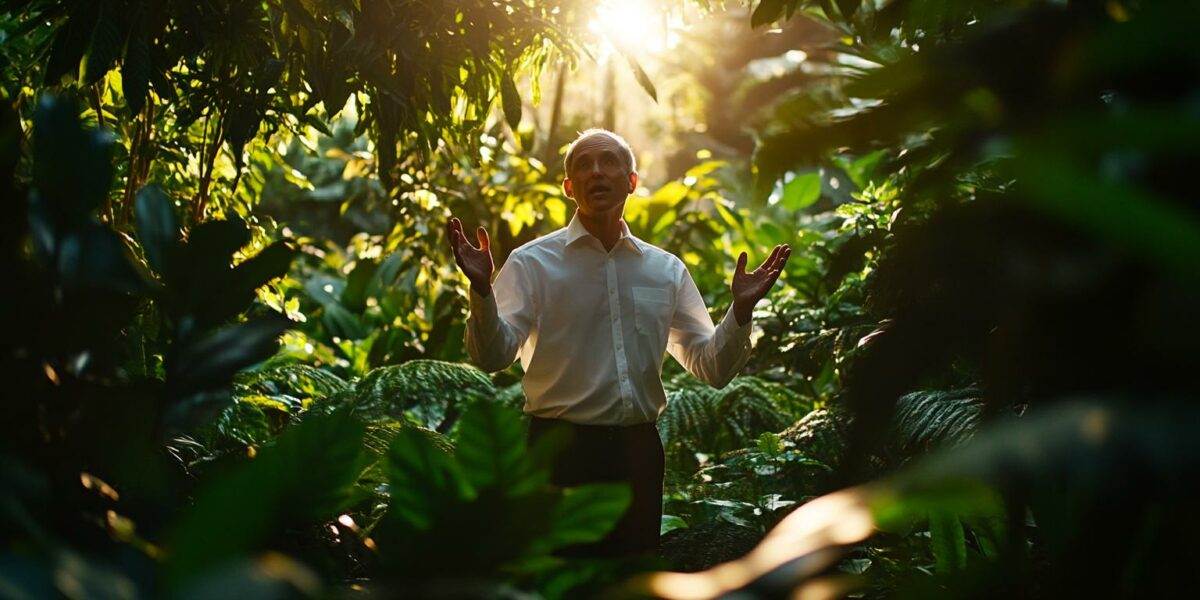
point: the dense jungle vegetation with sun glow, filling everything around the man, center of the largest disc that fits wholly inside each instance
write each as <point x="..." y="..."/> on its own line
<point x="233" y="332"/>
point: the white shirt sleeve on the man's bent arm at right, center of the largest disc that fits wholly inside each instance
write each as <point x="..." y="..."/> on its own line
<point x="715" y="355"/>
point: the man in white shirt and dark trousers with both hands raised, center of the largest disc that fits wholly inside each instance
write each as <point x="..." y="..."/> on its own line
<point x="591" y="309"/>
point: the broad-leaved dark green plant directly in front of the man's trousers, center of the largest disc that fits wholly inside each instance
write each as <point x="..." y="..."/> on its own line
<point x="489" y="507"/>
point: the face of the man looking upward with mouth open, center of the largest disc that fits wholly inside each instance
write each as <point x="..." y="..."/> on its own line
<point x="599" y="178"/>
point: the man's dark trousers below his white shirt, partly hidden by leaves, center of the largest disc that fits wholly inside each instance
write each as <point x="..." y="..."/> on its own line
<point x="607" y="454"/>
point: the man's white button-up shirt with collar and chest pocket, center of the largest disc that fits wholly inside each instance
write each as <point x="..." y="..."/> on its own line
<point x="591" y="327"/>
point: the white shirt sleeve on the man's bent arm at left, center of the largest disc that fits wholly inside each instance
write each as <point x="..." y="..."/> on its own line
<point x="501" y="323"/>
